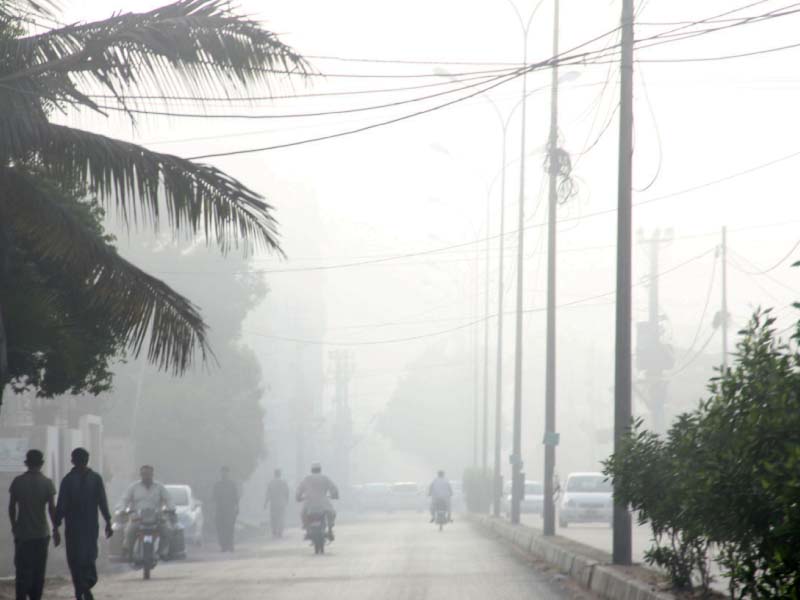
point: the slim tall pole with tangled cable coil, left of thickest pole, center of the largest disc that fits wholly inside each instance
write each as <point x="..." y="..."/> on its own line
<point x="550" y="435"/>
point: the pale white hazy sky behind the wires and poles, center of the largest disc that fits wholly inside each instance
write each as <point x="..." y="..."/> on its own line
<point x="421" y="184"/>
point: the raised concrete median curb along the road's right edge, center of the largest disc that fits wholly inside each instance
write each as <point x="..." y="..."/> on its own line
<point x="585" y="568"/>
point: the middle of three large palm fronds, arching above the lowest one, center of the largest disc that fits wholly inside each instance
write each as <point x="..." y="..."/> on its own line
<point x="199" y="198"/>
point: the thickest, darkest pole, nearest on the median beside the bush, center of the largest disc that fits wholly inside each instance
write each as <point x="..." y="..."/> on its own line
<point x="622" y="550"/>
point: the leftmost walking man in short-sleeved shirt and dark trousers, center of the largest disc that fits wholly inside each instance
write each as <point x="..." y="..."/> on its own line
<point x="29" y="495"/>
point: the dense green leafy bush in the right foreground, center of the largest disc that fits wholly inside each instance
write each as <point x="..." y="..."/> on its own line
<point x="727" y="476"/>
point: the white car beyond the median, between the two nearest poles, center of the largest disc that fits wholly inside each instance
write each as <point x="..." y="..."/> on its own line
<point x="587" y="498"/>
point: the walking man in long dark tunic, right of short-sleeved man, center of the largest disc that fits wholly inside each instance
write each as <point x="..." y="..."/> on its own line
<point x="81" y="496"/>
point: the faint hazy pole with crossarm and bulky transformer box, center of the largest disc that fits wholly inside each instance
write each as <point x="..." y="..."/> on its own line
<point x="652" y="355"/>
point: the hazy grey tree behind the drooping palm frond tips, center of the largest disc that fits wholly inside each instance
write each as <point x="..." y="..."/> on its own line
<point x="189" y="428"/>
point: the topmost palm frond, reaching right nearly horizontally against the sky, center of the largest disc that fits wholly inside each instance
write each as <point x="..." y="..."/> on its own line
<point x="194" y="45"/>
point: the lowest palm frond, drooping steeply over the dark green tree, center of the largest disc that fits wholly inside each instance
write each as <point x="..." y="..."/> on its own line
<point x="144" y="309"/>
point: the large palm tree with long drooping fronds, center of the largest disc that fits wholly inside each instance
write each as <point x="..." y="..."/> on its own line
<point x="189" y="46"/>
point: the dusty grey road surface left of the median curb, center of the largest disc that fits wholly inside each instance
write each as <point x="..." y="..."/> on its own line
<point x="398" y="557"/>
